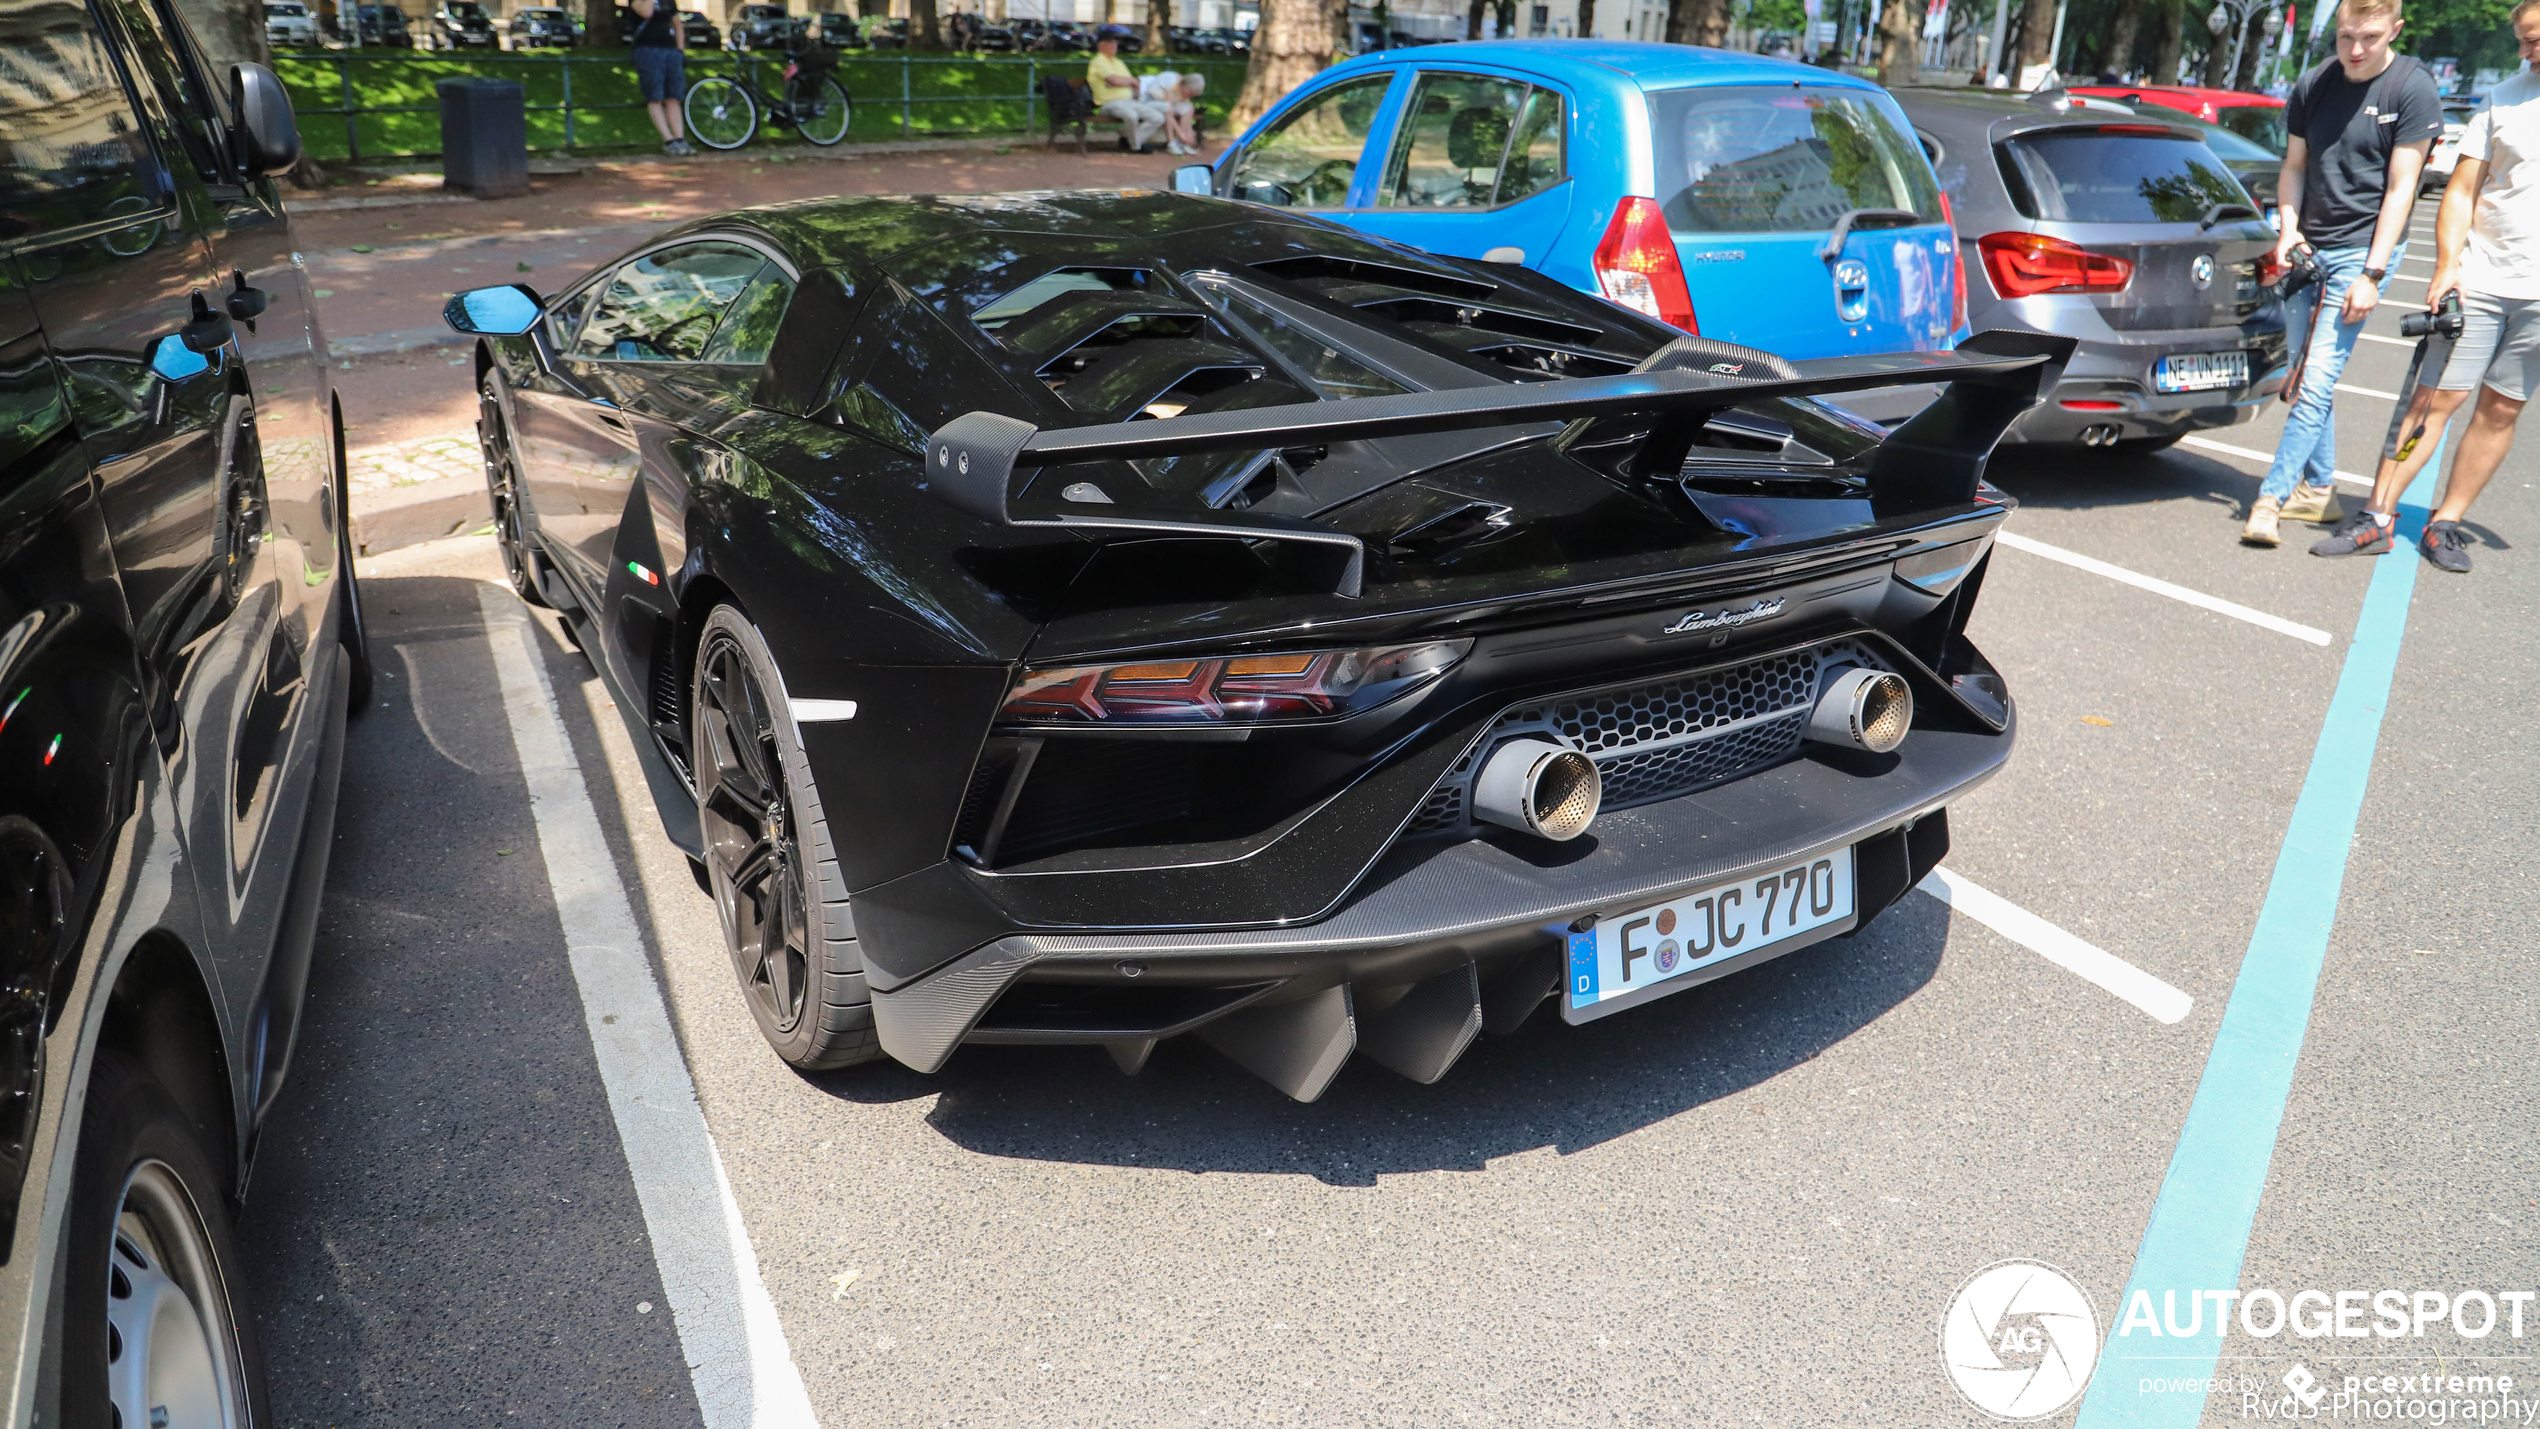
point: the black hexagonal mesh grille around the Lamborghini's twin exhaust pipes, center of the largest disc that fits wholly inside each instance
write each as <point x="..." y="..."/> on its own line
<point x="1668" y="737"/>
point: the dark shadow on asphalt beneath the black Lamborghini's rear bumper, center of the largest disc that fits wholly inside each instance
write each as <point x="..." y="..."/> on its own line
<point x="1543" y="1088"/>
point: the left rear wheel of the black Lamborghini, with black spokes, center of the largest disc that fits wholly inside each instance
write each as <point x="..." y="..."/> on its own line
<point x="771" y="862"/>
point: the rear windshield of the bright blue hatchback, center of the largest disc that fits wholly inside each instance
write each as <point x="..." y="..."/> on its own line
<point x="1784" y="159"/>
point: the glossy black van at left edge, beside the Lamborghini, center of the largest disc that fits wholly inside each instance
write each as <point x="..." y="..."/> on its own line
<point x="179" y="654"/>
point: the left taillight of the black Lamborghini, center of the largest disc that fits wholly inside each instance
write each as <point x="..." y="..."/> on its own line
<point x="1243" y="689"/>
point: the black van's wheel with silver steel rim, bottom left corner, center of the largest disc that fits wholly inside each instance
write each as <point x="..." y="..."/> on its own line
<point x="151" y="1314"/>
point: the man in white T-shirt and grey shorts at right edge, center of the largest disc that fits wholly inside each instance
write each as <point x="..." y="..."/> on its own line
<point x="2493" y="212"/>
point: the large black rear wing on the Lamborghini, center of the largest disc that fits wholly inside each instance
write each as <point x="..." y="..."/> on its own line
<point x="1932" y="461"/>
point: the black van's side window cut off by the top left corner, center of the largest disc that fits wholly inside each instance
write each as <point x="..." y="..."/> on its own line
<point x="70" y="146"/>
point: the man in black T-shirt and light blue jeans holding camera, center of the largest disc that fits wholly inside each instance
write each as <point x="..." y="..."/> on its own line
<point x="2361" y="128"/>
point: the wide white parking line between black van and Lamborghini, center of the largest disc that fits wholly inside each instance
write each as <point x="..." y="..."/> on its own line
<point x="728" y="1326"/>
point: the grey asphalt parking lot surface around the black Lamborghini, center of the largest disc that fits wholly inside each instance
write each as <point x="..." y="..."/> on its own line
<point x="1746" y="1204"/>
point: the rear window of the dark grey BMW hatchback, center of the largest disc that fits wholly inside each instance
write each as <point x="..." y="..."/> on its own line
<point x="2094" y="176"/>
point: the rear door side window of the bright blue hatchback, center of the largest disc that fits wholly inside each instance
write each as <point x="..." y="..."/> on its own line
<point x="1474" y="143"/>
